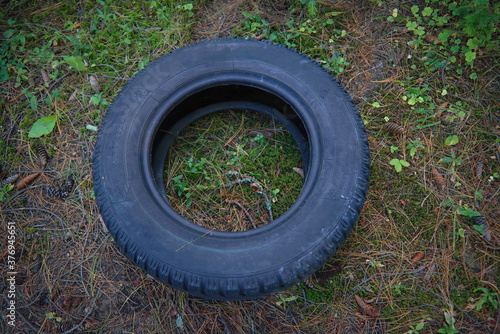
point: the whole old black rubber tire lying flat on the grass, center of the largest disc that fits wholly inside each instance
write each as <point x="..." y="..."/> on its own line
<point x="230" y="265"/>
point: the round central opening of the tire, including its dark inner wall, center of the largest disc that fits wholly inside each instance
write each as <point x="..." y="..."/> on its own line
<point x="231" y="158"/>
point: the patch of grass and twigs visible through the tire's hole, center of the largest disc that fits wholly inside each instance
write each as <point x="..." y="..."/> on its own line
<point x="233" y="170"/>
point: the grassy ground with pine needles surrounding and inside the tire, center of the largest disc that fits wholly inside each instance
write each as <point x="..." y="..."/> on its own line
<point x="418" y="259"/>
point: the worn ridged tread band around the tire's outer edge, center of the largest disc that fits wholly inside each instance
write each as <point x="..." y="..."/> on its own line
<point x="243" y="288"/>
